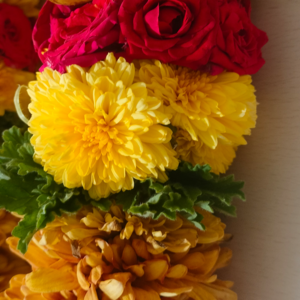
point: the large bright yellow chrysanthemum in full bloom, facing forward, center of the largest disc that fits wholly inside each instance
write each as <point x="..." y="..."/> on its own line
<point x="97" y="129"/>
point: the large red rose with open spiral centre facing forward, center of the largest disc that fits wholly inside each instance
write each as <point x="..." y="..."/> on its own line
<point x="182" y="32"/>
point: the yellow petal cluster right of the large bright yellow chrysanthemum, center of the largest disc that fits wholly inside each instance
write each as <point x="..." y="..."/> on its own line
<point x="213" y="110"/>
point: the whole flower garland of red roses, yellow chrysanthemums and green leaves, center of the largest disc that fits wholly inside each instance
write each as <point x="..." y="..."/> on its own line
<point x="138" y="108"/>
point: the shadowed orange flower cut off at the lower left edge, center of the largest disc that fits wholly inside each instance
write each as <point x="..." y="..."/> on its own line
<point x="10" y="264"/>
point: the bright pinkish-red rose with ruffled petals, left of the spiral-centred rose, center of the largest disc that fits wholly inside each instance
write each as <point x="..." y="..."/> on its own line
<point x="82" y="35"/>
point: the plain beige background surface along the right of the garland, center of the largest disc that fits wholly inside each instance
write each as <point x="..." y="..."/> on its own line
<point x="266" y="244"/>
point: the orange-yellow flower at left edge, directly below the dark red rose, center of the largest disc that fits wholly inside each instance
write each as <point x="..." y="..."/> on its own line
<point x="9" y="81"/>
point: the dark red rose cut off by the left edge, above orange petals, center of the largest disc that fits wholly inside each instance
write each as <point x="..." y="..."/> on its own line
<point x="16" y="49"/>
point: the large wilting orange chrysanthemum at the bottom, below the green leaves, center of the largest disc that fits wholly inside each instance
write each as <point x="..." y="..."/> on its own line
<point x="96" y="255"/>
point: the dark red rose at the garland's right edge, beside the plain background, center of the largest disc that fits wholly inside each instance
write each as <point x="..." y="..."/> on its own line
<point x="239" y="42"/>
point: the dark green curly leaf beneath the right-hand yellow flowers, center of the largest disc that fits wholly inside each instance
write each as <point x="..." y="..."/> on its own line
<point x="186" y="188"/>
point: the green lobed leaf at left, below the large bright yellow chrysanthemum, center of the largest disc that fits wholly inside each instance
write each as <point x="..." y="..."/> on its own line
<point x="25" y="188"/>
